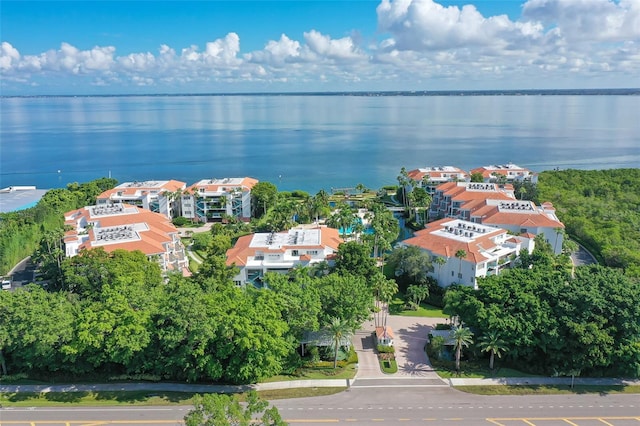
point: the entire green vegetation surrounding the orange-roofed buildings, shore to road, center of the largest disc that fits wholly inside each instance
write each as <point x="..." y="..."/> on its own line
<point x="116" y="316"/>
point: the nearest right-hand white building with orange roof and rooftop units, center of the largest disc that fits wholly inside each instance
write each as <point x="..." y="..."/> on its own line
<point x="469" y="250"/>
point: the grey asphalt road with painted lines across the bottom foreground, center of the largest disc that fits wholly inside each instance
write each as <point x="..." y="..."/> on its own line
<point x="385" y="405"/>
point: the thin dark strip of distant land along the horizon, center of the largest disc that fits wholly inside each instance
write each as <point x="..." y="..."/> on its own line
<point x="514" y="92"/>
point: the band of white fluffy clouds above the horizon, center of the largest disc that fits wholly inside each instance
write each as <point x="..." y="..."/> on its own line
<point x="418" y="41"/>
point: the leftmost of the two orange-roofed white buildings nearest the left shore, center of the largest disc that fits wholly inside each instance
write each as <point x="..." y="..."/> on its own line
<point x="159" y="196"/>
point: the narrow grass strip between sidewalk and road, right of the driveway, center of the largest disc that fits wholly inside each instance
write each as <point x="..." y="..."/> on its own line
<point x="546" y="390"/>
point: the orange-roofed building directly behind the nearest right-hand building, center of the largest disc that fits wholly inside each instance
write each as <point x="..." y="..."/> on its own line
<point x="520" y="217"/>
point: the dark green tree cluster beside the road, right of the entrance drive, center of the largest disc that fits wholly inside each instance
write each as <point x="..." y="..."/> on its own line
<point x="547" y="320"/>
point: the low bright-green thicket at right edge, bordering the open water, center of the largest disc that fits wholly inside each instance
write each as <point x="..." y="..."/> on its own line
<point x="601" y="210"/>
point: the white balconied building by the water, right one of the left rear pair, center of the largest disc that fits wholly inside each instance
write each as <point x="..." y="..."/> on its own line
<point x="211" y="199"/>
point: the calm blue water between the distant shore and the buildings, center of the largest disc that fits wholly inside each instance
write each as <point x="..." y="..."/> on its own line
<point x="307" y="142"/>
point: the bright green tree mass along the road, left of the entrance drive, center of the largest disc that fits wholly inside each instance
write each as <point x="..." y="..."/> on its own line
<point x="114" y="314"/>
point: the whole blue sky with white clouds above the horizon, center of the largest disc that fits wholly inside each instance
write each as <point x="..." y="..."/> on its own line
<point x="119" y="47"/>
